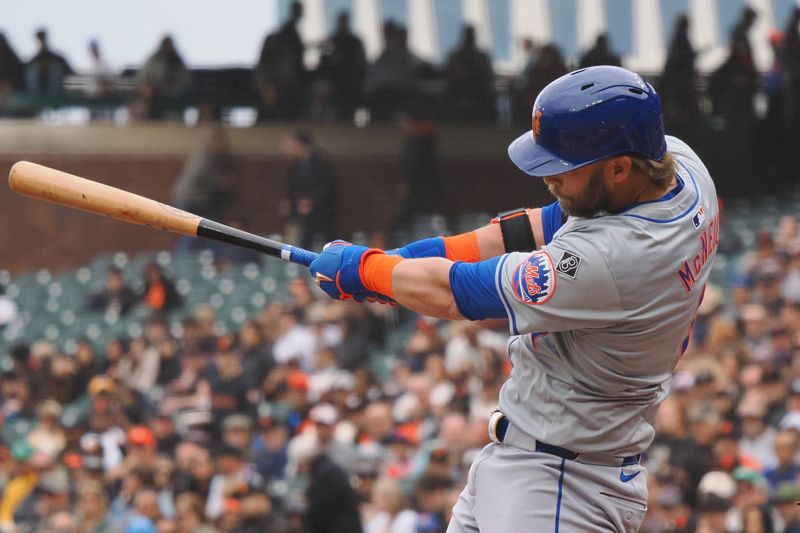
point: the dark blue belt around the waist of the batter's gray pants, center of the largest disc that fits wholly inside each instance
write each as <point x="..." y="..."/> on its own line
<point x="502" y="431"/>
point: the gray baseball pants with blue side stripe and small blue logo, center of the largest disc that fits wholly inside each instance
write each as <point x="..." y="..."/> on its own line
<point x="511" y="490"/>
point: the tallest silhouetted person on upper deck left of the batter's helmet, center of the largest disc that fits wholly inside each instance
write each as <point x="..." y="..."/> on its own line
<point x="280" y="75"/>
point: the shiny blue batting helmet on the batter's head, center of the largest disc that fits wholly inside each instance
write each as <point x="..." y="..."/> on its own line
<point x="588" y="115"/>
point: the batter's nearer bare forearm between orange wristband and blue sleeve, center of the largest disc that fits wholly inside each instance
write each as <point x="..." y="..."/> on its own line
<point x="423" y="285"/>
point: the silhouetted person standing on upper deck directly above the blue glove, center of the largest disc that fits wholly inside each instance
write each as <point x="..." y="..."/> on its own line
<point x="343" y="67"/>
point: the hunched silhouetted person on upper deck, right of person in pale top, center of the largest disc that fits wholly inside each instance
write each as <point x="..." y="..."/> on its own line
<point x="163" y="83"/>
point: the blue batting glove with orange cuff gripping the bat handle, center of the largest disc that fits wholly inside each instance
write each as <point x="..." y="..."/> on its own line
<point x="336" y="271"/>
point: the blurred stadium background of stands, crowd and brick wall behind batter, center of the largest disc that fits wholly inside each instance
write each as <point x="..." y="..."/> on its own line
<point x="155" y="383"/>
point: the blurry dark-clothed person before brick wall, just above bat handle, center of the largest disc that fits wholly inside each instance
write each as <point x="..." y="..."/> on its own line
<point x="312" y="192"/>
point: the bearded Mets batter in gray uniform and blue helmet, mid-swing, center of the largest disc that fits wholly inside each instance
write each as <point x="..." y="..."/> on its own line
<point x="600" y="289"/>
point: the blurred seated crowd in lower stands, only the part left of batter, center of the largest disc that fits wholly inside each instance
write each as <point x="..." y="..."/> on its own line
<point x="299" y="421"/>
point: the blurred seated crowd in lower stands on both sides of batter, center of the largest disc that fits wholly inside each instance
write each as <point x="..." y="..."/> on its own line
<point x="321" y="416"/>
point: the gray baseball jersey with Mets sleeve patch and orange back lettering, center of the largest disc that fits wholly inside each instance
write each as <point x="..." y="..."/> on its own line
<point x="602" y="313"/>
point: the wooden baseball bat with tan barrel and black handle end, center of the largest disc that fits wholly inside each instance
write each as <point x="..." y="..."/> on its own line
<point x="55" y="186"/>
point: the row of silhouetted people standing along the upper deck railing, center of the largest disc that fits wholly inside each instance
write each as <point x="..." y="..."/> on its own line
<point x="464" y="87"/>
